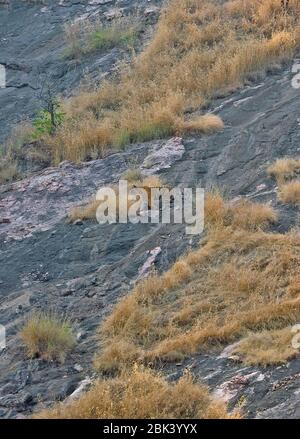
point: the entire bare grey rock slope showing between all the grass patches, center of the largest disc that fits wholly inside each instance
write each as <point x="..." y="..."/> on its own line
<point x="82" y="269"/>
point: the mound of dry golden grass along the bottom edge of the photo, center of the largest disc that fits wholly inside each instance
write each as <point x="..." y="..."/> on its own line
<point x="142" y="394"/>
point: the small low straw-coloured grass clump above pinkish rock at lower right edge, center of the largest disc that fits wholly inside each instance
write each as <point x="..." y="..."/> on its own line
<point x="267" y="348"/>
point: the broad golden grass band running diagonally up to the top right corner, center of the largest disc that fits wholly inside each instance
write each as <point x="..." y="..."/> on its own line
<point x="199" y="49"/>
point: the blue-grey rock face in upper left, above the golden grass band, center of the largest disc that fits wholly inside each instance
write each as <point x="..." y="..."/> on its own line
<point x="33" y="50"/>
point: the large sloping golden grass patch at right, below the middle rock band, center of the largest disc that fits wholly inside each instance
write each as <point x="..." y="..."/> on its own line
<point x="238" y="280"/>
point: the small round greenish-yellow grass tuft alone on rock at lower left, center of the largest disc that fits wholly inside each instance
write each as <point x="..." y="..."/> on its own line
<point x="47" y="336"/>
